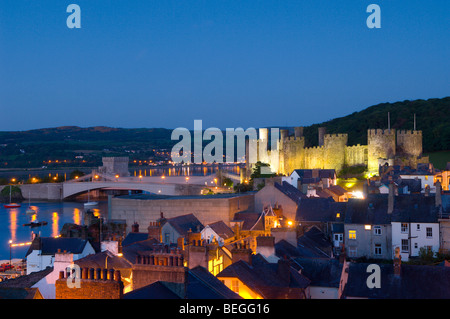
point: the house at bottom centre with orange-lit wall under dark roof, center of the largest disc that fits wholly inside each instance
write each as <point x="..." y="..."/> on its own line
<point x="256" y="278"/>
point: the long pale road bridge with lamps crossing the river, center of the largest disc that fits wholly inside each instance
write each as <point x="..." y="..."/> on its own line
<point x="164" y="185"/>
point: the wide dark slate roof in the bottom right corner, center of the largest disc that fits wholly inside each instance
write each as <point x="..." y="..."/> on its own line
<point x="415" y="282"/>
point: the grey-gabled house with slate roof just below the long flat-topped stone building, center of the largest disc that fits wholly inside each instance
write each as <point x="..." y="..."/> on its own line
<point x="179" y="226"/>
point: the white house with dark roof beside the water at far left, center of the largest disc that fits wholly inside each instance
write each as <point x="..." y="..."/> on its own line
<point x="41" y="253"/>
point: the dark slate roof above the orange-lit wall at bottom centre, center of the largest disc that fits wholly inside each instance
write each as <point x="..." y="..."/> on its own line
<point x="262" y="276"/>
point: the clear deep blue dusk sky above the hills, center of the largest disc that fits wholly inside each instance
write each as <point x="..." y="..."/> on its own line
<point x="230" y="63"/>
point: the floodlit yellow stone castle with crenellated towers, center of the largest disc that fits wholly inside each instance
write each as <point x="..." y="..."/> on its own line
<point x="402" y="147"/>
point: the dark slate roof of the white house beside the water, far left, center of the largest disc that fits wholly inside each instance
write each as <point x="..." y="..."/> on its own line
<point x="50" y="245"/>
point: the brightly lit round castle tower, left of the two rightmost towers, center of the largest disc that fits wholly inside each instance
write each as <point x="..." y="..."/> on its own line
<point x="381" y="145"/>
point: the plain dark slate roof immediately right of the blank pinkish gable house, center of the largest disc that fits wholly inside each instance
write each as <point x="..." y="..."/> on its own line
<point x="319" y="210"/>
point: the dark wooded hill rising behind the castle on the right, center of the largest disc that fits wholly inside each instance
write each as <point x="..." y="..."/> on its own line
<point x="432" y="118"/>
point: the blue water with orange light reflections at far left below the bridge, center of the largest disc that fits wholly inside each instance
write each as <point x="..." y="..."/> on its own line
<point x="56" y="214"/>
